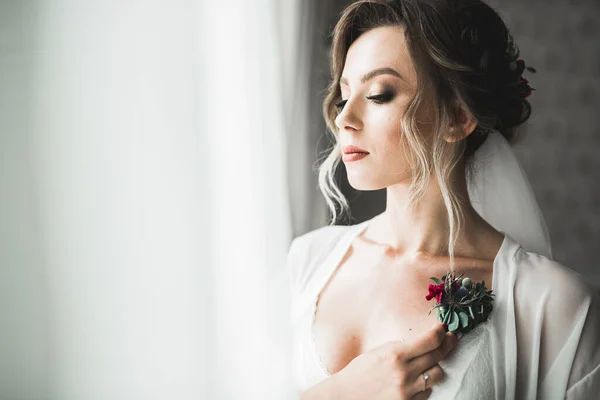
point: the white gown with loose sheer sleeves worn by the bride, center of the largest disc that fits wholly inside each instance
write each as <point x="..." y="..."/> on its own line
<point x="542" y="340"/>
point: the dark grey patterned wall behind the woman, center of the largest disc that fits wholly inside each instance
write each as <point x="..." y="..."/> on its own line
<point x="560" y="151"/>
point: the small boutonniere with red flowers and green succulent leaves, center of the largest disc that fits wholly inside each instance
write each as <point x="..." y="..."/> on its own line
<point x="461" y="305"/>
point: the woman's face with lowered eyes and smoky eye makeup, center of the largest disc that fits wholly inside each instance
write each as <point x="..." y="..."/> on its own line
<point x="378" y="81"/>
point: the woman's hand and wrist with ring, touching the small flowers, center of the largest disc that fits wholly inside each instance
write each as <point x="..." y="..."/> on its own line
<point x="393" y="371"/>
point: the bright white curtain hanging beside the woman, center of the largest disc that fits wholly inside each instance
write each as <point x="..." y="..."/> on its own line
<point x="145" y="204"/>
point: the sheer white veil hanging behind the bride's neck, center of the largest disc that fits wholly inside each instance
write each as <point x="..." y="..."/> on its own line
<point x="501" y="193"/>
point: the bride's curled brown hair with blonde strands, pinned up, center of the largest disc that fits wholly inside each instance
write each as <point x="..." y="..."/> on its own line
<point x="466" y="58"/>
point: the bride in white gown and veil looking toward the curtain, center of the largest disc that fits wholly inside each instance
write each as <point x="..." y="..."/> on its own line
<point x="424" y="99"/>
